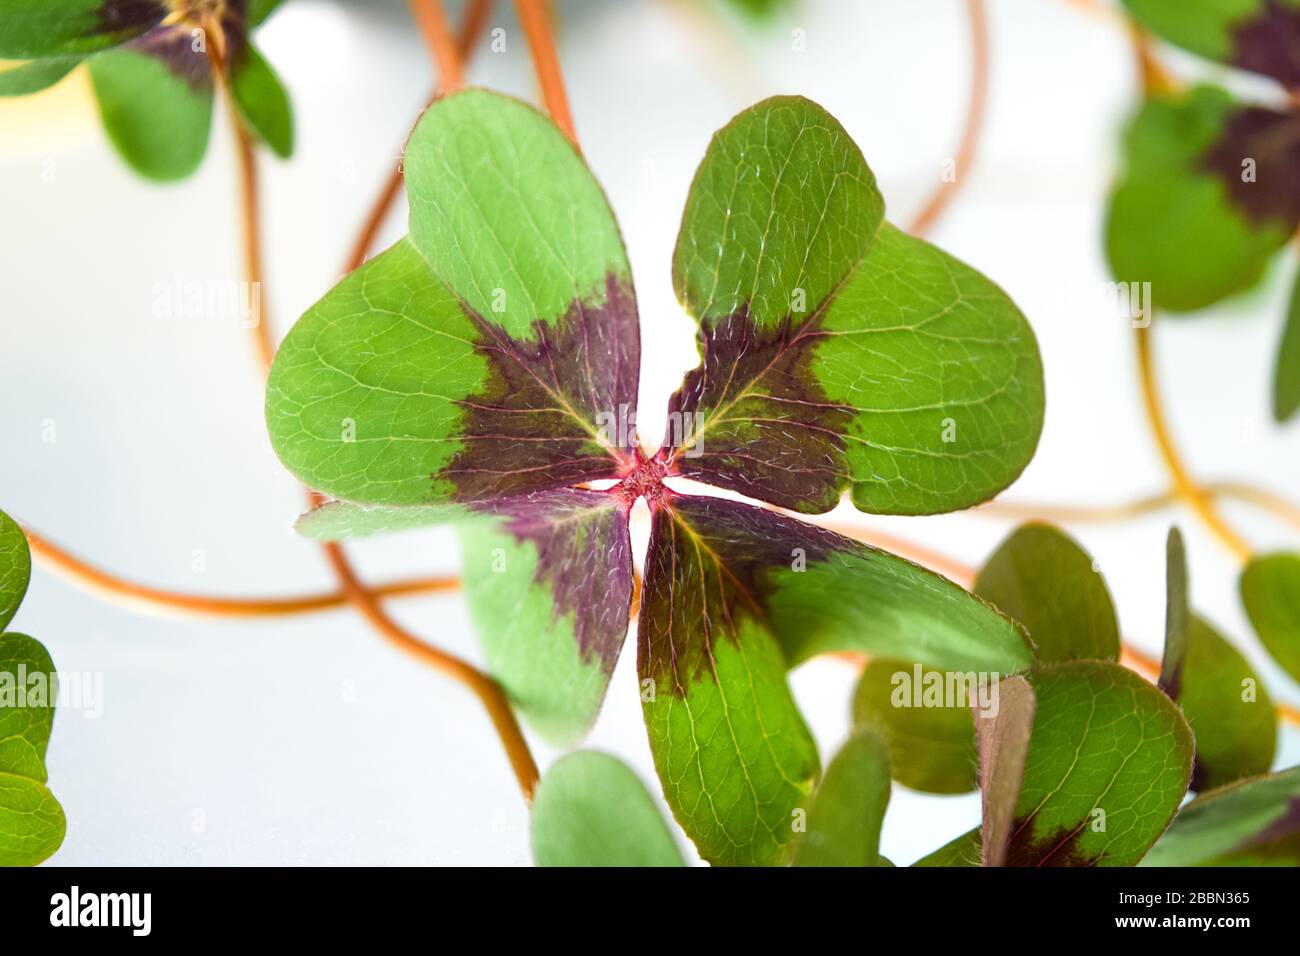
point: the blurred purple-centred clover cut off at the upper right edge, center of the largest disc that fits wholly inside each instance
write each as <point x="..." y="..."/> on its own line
<point x="1208" y="194"/>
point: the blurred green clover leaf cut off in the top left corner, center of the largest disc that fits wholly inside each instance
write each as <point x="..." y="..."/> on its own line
<point x="149" y="64"/>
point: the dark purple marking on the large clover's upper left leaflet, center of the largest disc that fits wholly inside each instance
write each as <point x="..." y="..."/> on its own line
<point x="538" y="421"/>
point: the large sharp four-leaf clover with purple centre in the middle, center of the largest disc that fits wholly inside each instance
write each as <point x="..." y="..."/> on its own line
<point x="484" y="371"/>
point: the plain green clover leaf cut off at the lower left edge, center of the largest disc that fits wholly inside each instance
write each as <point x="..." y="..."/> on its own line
<point x="32" y="821"/>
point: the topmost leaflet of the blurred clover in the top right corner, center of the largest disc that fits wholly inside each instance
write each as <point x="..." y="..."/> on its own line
<point x="1258" y="36"/>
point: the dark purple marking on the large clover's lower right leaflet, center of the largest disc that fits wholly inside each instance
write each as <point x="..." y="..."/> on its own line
<point x="709" y="566"/>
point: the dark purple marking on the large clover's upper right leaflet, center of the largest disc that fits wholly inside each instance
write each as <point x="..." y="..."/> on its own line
<point x="799" y="430"/>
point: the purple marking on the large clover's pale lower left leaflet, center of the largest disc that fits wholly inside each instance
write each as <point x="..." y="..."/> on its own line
<point x="584" y="557"/>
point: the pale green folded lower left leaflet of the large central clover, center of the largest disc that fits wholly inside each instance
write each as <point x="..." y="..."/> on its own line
<point x="549" y="583"/>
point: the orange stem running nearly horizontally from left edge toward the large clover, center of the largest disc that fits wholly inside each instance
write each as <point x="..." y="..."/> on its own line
<point x="141" y="598"/>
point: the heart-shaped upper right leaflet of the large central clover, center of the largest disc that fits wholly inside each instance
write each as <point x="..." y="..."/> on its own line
<point x="838" y="353"/>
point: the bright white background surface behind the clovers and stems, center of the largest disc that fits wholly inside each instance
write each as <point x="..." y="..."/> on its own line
<point x="310" y="741"/>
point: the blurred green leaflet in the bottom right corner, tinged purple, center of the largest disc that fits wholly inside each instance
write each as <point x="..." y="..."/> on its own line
<point x="1254" y="823"/>
